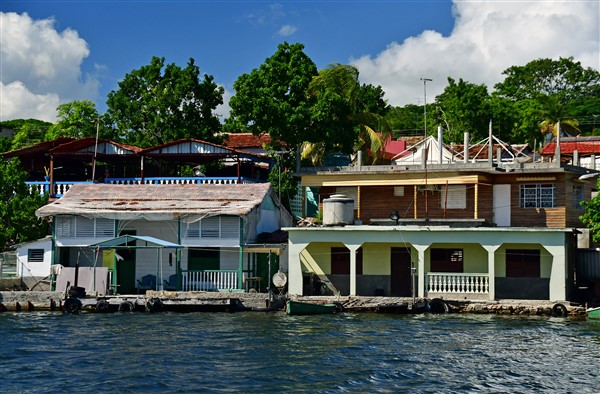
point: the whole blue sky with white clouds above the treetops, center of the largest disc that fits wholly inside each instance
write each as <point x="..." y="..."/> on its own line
<point x="52" y="52"/>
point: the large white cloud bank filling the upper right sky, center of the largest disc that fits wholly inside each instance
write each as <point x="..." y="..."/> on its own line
<point x="488" y="37"/>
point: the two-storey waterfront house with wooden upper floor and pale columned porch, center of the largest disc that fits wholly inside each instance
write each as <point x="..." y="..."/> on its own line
<point x="441" y="226"/>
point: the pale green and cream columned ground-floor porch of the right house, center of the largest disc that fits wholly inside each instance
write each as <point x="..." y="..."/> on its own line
<point x="432" y="261"/>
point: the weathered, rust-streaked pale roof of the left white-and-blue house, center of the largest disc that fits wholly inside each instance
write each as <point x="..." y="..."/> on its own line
<point x="158" y="202"/>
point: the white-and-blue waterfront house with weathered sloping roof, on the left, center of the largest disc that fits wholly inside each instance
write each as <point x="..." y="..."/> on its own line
<point x="204" y="236"/>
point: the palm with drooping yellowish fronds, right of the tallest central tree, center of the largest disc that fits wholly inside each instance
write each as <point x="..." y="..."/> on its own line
<point x="350" y="114"/>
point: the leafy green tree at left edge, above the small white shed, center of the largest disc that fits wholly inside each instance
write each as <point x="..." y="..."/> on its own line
<point x="18" y="222"/>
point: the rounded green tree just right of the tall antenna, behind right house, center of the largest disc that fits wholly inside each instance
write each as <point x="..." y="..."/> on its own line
<point x="463" y="107"/>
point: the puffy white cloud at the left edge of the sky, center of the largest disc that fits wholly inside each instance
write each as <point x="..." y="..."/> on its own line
<point x="41" y="68"/>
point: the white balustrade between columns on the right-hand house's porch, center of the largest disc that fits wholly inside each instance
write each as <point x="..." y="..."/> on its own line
<point x="464" y="283"/>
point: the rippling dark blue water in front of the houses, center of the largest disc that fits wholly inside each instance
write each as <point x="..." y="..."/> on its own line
<point x="256" y="352"/>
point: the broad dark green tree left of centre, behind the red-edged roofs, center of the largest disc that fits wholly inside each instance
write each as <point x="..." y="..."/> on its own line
<point x="157" y="104"/>
